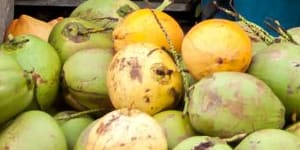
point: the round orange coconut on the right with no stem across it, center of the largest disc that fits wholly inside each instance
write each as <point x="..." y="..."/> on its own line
<point x="216" y="45"/>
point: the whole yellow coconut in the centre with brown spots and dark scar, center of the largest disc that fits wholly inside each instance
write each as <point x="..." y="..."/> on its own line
<point x="144" y="76"/>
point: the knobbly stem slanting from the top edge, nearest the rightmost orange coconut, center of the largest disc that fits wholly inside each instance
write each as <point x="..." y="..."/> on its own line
<point x="260" y="32"/>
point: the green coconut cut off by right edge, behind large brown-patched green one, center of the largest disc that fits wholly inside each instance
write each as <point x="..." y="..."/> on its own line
<point x="279" y="67"/>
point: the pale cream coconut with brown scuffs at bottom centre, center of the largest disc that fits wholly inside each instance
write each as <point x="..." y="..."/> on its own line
<point x="123" y="129"/>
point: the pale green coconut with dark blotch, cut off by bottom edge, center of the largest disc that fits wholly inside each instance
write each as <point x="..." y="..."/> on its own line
<point x="202" y="143"/>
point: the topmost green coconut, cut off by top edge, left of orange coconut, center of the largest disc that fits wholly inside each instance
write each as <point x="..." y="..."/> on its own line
<point x="105" y="13"/>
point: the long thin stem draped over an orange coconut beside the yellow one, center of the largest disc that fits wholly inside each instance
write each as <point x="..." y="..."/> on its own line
<point x="178" y="62"/>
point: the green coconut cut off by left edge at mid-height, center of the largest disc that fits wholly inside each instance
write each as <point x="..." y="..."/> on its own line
<point x="16" y="88"/>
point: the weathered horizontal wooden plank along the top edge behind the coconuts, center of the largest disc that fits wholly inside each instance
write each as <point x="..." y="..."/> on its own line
<point x="176" y="6"/>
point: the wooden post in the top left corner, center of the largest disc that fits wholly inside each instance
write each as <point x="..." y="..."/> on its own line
<point x="6" y="15"/>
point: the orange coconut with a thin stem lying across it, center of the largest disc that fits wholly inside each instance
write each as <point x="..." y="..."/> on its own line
<point x="141" y="26"/>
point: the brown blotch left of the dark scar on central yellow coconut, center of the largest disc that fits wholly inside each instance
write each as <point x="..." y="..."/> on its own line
<point x="135" y="73"/>
